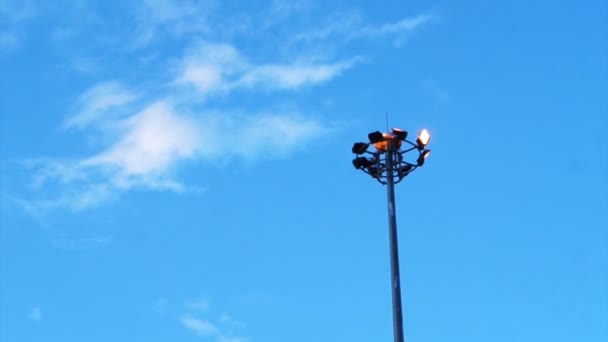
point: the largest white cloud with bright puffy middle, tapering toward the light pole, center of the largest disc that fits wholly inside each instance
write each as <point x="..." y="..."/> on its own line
<point x="149" y="146"/>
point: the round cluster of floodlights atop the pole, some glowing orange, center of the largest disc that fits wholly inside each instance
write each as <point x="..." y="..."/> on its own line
<point x="371" y="157"/>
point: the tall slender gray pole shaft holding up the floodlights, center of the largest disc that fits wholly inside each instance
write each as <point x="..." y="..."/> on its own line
<point x="394" y="250"/>
